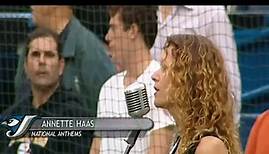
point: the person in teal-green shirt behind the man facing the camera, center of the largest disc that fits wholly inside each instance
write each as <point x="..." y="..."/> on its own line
<point x="87" y="65"/>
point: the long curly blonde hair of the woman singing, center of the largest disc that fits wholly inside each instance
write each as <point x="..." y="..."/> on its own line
<point x="199" y="92"/>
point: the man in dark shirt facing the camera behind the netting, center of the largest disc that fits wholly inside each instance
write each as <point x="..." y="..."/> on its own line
<point x="44" y="66"/>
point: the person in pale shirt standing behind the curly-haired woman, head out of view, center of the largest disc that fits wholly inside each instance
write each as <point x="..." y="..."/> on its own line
<point x="209" y="21"/>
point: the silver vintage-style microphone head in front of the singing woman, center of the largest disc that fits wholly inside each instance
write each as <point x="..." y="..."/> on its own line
<point x="137" y="100"/>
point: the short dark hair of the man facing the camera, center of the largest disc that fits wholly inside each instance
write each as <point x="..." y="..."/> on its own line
<point x="43" y="32"/>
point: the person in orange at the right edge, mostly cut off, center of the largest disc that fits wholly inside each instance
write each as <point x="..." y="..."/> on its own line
<point x="258" y="140"/>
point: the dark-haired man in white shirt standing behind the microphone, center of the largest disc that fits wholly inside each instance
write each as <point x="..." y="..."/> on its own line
<point x="130" y="36"/>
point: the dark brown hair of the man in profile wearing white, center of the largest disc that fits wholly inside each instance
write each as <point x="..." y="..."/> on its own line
<point x="144" y="16"/>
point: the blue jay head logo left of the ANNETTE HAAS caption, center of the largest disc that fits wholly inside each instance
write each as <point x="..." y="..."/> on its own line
<point x="17" y="124"/>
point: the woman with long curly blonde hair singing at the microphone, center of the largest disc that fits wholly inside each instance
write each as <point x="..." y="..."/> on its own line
<point x="192" y="85"/>
